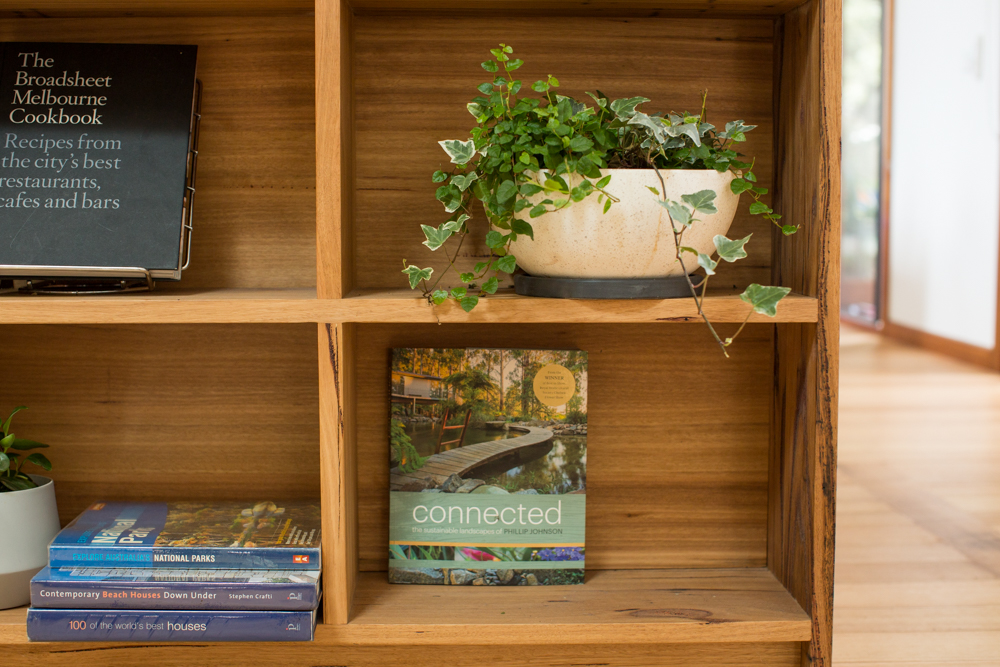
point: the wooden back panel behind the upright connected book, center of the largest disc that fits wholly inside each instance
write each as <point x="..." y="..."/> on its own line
<point x="677" y="456"/>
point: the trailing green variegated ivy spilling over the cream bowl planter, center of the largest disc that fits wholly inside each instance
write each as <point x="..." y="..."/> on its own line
<point x="532" y="154"/>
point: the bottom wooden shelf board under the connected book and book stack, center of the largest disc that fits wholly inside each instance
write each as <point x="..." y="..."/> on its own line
<point x="613" y="607"/>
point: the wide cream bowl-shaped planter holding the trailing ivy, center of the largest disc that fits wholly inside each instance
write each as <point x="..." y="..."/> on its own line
<point x="634" y="238"/>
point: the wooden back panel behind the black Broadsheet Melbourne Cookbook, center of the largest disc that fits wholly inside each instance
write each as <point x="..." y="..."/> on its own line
<point x="254" y="221"/>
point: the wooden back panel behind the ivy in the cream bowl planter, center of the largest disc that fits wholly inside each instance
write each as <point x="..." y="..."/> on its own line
<point x="667" y="60"/>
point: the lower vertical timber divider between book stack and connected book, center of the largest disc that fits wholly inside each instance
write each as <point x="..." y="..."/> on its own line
<point x="338" y="469"/>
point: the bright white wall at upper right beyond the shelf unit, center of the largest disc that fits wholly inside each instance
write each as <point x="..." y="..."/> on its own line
<point x="945" y="168"/>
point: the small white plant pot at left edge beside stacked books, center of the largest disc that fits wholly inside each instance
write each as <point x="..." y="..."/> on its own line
<point x="28" y="522"/>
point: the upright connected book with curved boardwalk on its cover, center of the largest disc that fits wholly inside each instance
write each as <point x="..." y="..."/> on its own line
<point x="488" y="466"/>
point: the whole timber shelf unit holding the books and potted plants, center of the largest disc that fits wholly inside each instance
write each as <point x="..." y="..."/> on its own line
<point x="265" y="372"/>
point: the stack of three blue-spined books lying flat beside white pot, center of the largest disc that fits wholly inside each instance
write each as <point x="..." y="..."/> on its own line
<point x="181" y="572"/>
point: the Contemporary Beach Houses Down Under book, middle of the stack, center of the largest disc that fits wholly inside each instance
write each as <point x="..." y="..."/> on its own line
<point x="147" y="588"/>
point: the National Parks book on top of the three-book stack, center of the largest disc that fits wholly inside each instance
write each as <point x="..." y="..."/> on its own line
<point x="251" y="536"/>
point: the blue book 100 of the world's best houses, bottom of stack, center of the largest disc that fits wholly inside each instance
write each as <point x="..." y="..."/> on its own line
<point x="88" y="625"/>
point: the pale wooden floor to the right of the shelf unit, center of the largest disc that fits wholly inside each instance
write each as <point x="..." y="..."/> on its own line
<point x="918" y="509"/>
